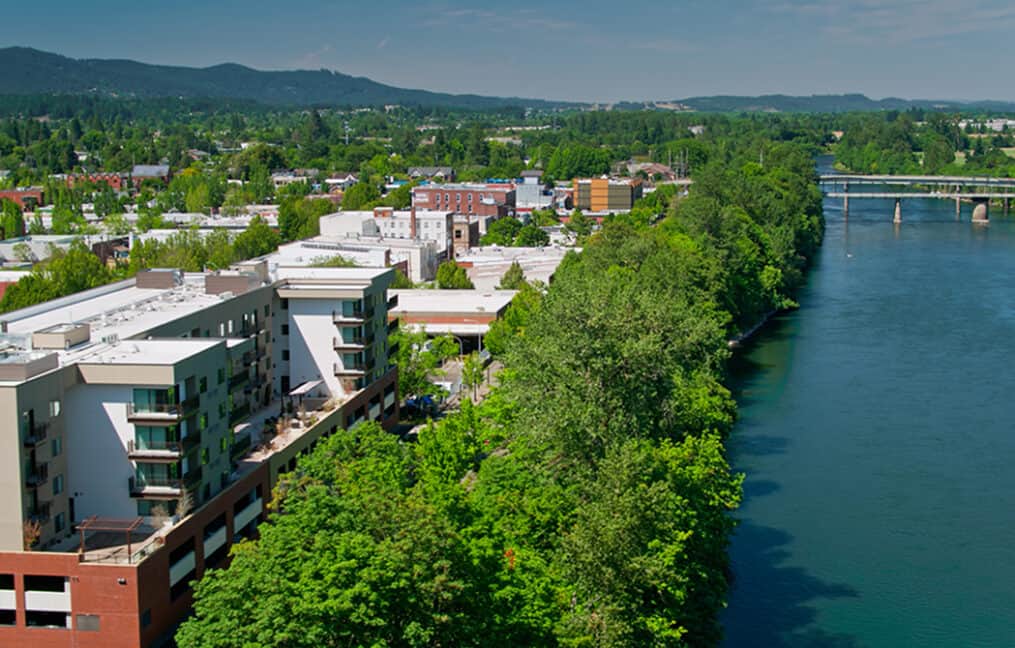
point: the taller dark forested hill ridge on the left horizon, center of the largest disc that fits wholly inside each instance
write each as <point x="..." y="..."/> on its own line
<point x="29" y="72"/>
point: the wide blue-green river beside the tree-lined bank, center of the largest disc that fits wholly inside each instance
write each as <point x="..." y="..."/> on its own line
<point x="877" y="441"/>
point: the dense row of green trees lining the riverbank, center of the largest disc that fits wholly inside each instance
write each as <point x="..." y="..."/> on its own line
<point x="587" y="501"/>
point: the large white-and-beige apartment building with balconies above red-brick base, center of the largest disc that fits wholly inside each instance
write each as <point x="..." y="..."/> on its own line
<point x="144" y="425"/>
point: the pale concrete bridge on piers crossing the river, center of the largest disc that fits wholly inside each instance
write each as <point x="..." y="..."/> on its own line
<point x="979" y="190"/>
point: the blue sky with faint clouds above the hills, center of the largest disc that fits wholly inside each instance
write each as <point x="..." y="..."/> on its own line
<point x="571" y="50"/>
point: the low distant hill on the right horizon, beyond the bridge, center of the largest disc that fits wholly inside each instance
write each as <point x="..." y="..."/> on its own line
<point x="828" y="104"/>
